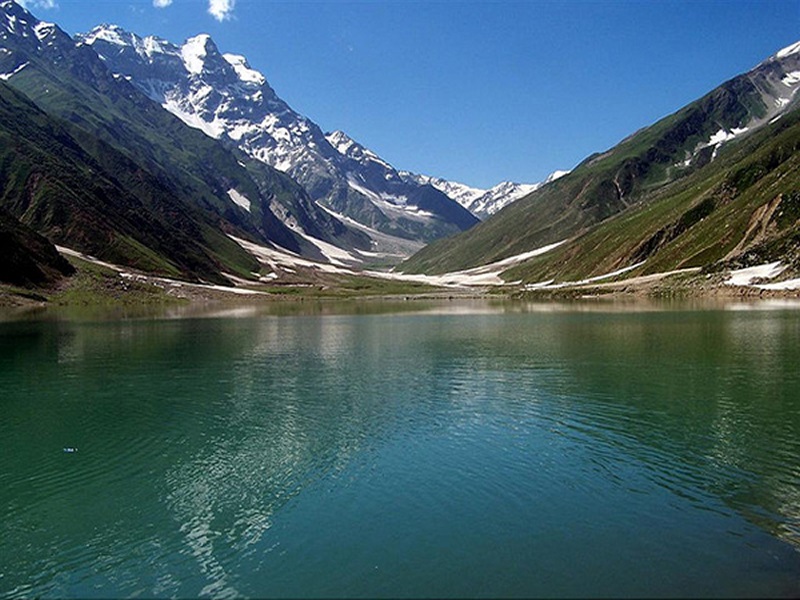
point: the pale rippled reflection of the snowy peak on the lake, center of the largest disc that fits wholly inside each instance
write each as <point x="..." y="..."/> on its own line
<point x="225" y="495"/>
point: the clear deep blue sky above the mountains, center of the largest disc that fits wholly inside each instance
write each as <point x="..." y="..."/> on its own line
<point x="476" y="92"/>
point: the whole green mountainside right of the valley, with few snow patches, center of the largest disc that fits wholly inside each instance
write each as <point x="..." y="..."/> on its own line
<point x="715" y="184"/>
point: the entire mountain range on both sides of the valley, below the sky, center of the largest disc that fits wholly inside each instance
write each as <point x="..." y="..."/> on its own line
<point x="177" y="160"/>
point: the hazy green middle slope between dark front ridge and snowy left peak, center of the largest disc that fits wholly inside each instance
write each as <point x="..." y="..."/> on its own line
<point x="185" y="163"/>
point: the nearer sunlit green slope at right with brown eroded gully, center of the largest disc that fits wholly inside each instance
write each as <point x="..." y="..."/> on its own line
<point x="741" y="209"/>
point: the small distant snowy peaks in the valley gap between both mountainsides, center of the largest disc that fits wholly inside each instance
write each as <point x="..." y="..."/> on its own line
<point x="482" y="203"/>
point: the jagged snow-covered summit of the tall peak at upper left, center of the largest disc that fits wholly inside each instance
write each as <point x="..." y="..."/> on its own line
<point x="214" y="92"/>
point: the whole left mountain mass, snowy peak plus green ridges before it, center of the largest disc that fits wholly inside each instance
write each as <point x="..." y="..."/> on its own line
<point x="237" y="160"/>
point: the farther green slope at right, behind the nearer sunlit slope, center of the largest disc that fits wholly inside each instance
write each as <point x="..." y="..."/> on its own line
<point x="602" y="186"/>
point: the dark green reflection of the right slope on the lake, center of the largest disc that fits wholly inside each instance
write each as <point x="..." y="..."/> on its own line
<point x="717" y="397"/>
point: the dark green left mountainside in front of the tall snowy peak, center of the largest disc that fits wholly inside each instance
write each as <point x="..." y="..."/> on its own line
<point x="209" y="190"/>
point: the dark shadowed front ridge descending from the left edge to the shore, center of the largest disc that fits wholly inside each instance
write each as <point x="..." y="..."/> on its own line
<point x="98" y="201"/>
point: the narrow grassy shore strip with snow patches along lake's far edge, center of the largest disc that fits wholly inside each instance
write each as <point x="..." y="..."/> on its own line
<point x="99" y="285"/>
